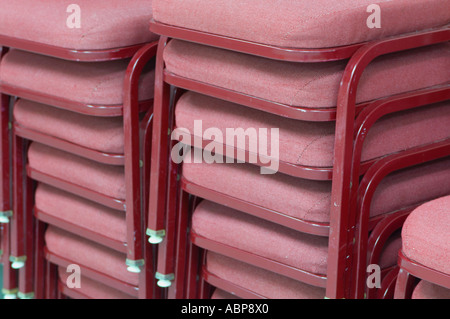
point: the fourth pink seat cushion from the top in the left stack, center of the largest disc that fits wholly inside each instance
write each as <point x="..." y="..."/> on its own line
<point x="108" y="180"/>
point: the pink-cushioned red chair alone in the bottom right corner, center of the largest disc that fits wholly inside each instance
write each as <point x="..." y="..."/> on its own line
<point x="424" y="255"/>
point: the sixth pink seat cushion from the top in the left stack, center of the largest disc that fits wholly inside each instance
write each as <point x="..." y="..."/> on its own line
<point x="89" y="254"/>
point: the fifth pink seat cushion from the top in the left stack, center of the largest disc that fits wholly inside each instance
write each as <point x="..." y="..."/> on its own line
<point x="81" y="212"/>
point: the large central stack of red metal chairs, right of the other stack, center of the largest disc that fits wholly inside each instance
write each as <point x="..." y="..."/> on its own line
<point x="343" y="97"/>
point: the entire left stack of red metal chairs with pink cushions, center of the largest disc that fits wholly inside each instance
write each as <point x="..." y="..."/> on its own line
<point x="82" y="100"/>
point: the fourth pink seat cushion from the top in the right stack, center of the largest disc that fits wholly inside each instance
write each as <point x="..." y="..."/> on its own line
<point x="311" y="200"/>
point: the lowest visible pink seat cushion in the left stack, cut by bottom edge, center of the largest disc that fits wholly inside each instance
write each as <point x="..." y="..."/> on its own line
<point x="93" y="289"/>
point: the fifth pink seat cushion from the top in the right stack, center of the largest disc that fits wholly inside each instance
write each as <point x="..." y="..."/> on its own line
<point x="266" y="239"/>
